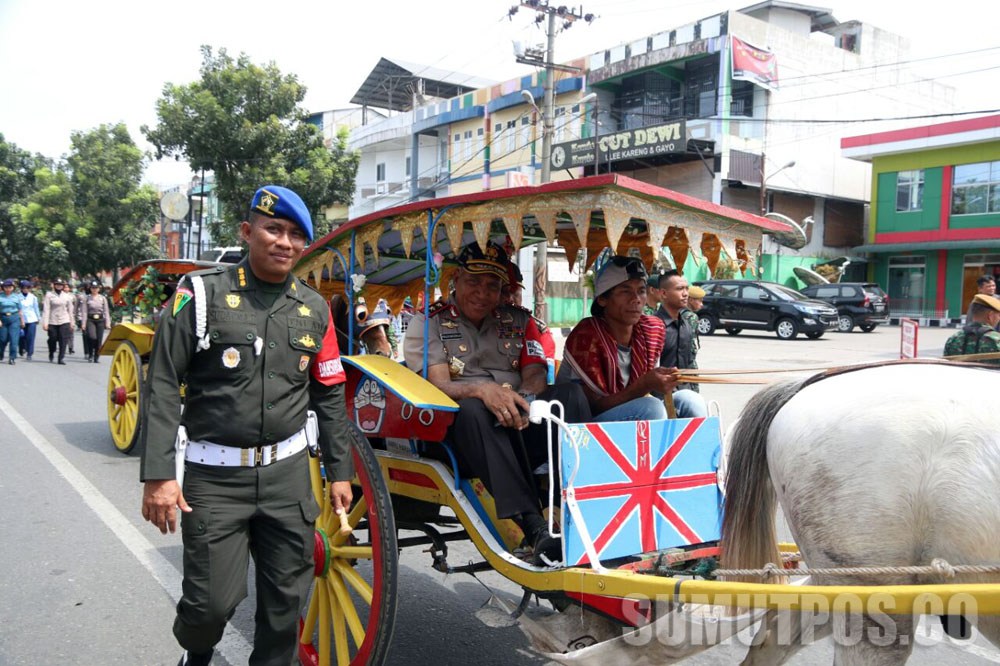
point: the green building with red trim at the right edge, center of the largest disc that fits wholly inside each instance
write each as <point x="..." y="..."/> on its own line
<point x="935" y="213"/>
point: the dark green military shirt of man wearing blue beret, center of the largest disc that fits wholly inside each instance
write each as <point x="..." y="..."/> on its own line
<point x="265" y="365"/>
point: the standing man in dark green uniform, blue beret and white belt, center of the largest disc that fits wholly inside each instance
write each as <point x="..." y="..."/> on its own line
<point x="256" y="349"/>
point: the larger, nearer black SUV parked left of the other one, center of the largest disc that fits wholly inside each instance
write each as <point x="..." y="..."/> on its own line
<point x="738" y="304"/>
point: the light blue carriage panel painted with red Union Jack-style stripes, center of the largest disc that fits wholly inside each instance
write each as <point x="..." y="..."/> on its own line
<point x="642" y="486"/>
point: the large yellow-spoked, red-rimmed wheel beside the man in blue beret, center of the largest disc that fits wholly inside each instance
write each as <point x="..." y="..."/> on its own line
<point x="349" y="621"/>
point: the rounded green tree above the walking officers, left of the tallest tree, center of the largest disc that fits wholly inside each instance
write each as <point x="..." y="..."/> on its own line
<point x="115" y="212"/>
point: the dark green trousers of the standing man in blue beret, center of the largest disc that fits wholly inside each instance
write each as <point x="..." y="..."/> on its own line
<point x="266" y="512"/>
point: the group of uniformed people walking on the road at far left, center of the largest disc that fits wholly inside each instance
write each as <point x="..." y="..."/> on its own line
<point x="60" y="312"/>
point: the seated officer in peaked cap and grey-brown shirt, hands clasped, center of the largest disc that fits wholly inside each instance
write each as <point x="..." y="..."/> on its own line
<point x="489" y="358"/>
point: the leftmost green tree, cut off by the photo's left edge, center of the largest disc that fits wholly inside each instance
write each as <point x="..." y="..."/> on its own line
<point x="17" y="182"/>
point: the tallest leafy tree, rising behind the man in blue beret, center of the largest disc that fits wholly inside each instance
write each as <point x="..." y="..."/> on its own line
<point x="243" y="122"/>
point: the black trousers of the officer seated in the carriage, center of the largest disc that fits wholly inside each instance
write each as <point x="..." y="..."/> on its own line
<point x="496" y="455"/>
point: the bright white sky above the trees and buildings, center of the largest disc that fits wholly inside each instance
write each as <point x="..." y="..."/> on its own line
<point x="71" y="66"/>
